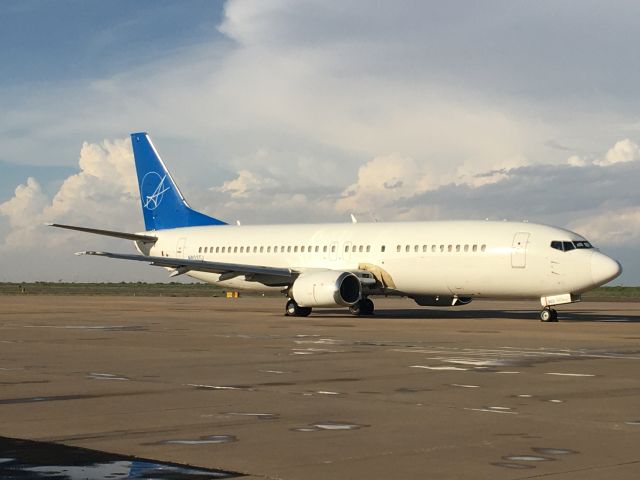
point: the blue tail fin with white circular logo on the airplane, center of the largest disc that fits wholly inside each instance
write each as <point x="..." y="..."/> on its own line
<point x="163" y="205"/>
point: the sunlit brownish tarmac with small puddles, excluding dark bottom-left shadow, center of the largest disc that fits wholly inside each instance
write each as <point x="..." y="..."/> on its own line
<point x="482" y="391"/>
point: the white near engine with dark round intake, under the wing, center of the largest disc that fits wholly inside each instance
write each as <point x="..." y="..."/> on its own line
<point x="327" y="288"/>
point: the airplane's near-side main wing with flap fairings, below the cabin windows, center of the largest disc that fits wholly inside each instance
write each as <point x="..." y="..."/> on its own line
<point x="271" y="276"/>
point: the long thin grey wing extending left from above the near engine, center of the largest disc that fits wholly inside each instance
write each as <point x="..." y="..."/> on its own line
<point x="182" y="265"/>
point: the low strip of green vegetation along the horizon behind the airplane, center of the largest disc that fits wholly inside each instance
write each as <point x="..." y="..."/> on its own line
<point x="208" y="290"/>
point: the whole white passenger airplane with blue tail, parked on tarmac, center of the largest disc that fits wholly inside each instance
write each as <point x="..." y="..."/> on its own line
<point x="436" y="263"/>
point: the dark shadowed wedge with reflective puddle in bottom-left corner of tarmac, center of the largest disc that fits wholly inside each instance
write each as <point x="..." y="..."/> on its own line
<point x="39" y="460"/>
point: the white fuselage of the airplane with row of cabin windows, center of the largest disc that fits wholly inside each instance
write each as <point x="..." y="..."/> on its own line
<point x="464" y="258"/>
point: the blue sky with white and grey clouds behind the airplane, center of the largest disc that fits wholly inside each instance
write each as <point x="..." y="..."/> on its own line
<point x="287" y="111"/>
